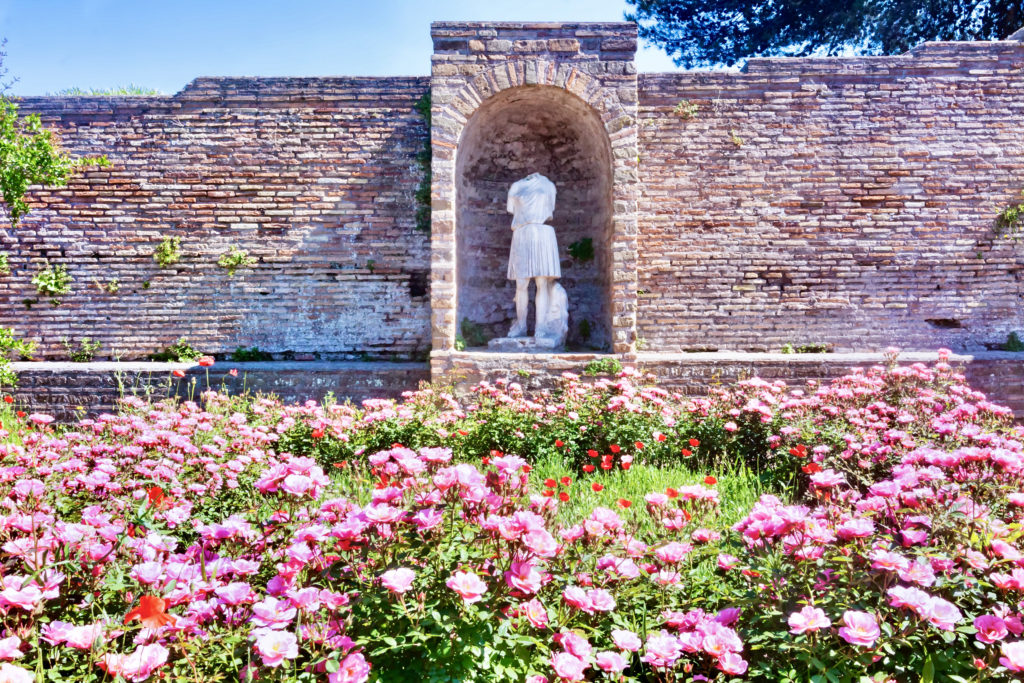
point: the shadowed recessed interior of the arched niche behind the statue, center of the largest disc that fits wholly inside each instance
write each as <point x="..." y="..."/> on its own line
<point x="524" y="131"/>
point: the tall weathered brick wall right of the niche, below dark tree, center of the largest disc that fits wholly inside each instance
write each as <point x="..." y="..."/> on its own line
<point x="841" y="201"/>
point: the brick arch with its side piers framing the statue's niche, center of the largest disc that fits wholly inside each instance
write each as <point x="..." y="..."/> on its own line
<point x="456" y="98"/>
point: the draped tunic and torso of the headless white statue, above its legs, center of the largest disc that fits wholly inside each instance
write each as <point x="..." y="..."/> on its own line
<point x="535" y="249"/>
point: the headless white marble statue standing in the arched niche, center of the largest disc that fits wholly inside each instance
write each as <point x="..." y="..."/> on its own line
<point x="534" y="257"/>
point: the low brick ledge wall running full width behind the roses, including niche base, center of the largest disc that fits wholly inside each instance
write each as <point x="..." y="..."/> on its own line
<point x="68" y="390"/>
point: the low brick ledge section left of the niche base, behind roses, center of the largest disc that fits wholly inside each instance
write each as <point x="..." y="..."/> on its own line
<point x="71" y="390"/>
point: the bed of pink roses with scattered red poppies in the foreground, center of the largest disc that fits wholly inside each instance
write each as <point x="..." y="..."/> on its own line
<point x="606" y="532"/>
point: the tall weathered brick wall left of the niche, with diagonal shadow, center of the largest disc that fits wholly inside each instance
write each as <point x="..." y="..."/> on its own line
<point x="314" y="178"/>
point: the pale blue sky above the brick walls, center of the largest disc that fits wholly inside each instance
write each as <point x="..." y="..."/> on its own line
<point x="163" y="45"/>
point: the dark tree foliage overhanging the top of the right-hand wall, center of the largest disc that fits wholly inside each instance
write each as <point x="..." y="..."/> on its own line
<point x="702" y="33"/>
